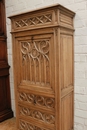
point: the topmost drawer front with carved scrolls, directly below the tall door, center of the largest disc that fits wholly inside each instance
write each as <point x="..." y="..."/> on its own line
<point x="37" y="100"/>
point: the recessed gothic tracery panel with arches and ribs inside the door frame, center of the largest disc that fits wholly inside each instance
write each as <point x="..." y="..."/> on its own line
<point x="35" y="58"/>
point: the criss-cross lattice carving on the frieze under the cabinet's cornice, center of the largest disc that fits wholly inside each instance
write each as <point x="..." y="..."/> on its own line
<point x="42" y="19"/>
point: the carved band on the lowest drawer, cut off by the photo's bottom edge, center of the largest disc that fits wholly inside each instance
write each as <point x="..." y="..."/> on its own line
<point x="27" y="126"/>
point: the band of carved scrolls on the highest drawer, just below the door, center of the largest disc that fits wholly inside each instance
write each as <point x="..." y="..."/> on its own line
<point x="37" y="100"/>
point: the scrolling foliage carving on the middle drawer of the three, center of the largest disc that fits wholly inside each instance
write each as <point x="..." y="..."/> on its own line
<point x="48" y="118"/>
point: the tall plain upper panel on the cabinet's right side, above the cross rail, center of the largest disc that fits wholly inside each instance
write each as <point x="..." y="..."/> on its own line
<point x="66" y="61"/>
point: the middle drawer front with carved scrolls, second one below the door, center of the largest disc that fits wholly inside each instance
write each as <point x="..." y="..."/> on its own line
<point x="39" y="115"/>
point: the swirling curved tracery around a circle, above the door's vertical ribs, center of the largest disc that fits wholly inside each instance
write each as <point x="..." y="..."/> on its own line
<point x="35" y="49"/>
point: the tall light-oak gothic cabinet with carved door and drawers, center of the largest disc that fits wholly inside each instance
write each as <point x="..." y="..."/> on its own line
<point x="43" y="68"/>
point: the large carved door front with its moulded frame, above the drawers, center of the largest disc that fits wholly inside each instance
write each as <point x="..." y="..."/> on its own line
<point x="35" y="60"/>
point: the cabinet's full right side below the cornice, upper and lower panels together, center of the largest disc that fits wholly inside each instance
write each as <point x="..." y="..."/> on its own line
<point x="67" y="88"/>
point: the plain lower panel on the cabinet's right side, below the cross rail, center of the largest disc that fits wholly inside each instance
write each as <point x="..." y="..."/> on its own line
<point x="67" y="112"/>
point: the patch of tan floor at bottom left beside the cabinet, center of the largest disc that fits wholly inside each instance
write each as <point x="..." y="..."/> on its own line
<point x="8" y="125"/>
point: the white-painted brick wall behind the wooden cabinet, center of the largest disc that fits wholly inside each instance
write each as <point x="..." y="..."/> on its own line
<point x="80" y="7"/>
